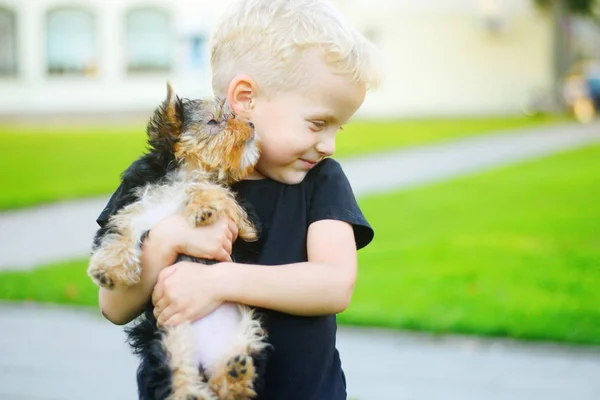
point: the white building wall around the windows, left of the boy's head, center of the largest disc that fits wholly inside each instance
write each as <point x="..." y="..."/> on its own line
<point x="33" y="91"/>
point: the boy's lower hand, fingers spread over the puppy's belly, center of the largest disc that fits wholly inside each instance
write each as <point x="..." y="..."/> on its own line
<point x="185" y="291"/>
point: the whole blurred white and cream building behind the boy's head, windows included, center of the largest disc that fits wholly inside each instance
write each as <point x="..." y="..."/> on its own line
<point x="441" y="57"/>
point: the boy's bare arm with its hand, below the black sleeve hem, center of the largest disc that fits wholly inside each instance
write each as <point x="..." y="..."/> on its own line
<point x="321" y="286"/>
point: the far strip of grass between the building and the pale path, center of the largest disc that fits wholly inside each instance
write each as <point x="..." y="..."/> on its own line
<point x="40" y="164"/>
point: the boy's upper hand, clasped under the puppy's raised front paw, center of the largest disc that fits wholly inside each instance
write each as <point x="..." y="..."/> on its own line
<point x="213" y="241"/>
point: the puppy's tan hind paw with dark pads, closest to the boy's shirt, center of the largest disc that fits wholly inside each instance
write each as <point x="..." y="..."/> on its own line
<point x="236" y="380"/>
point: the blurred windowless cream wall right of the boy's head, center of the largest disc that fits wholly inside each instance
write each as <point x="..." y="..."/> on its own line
<point x="440" y="60"/>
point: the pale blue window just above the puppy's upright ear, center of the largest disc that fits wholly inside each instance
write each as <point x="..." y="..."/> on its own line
<point x="149" y="40"/>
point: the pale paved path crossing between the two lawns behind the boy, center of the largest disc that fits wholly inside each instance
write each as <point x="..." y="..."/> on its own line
<point x="65" y="230"/>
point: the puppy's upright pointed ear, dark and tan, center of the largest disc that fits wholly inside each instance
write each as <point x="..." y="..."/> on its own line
<point x="165" y="125"/>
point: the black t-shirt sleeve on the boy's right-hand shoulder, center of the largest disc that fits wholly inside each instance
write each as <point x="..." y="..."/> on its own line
<point x="332" y="198"/>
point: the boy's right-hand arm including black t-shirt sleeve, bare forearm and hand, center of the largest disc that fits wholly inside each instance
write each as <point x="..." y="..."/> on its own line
<point x="323" y="285"/>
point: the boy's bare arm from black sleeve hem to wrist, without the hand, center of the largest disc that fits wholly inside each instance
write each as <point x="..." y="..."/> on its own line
<point x="323" y="285"/>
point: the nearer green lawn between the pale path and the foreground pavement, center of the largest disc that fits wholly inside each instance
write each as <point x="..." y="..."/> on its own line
<point x="511" y="252"/>
